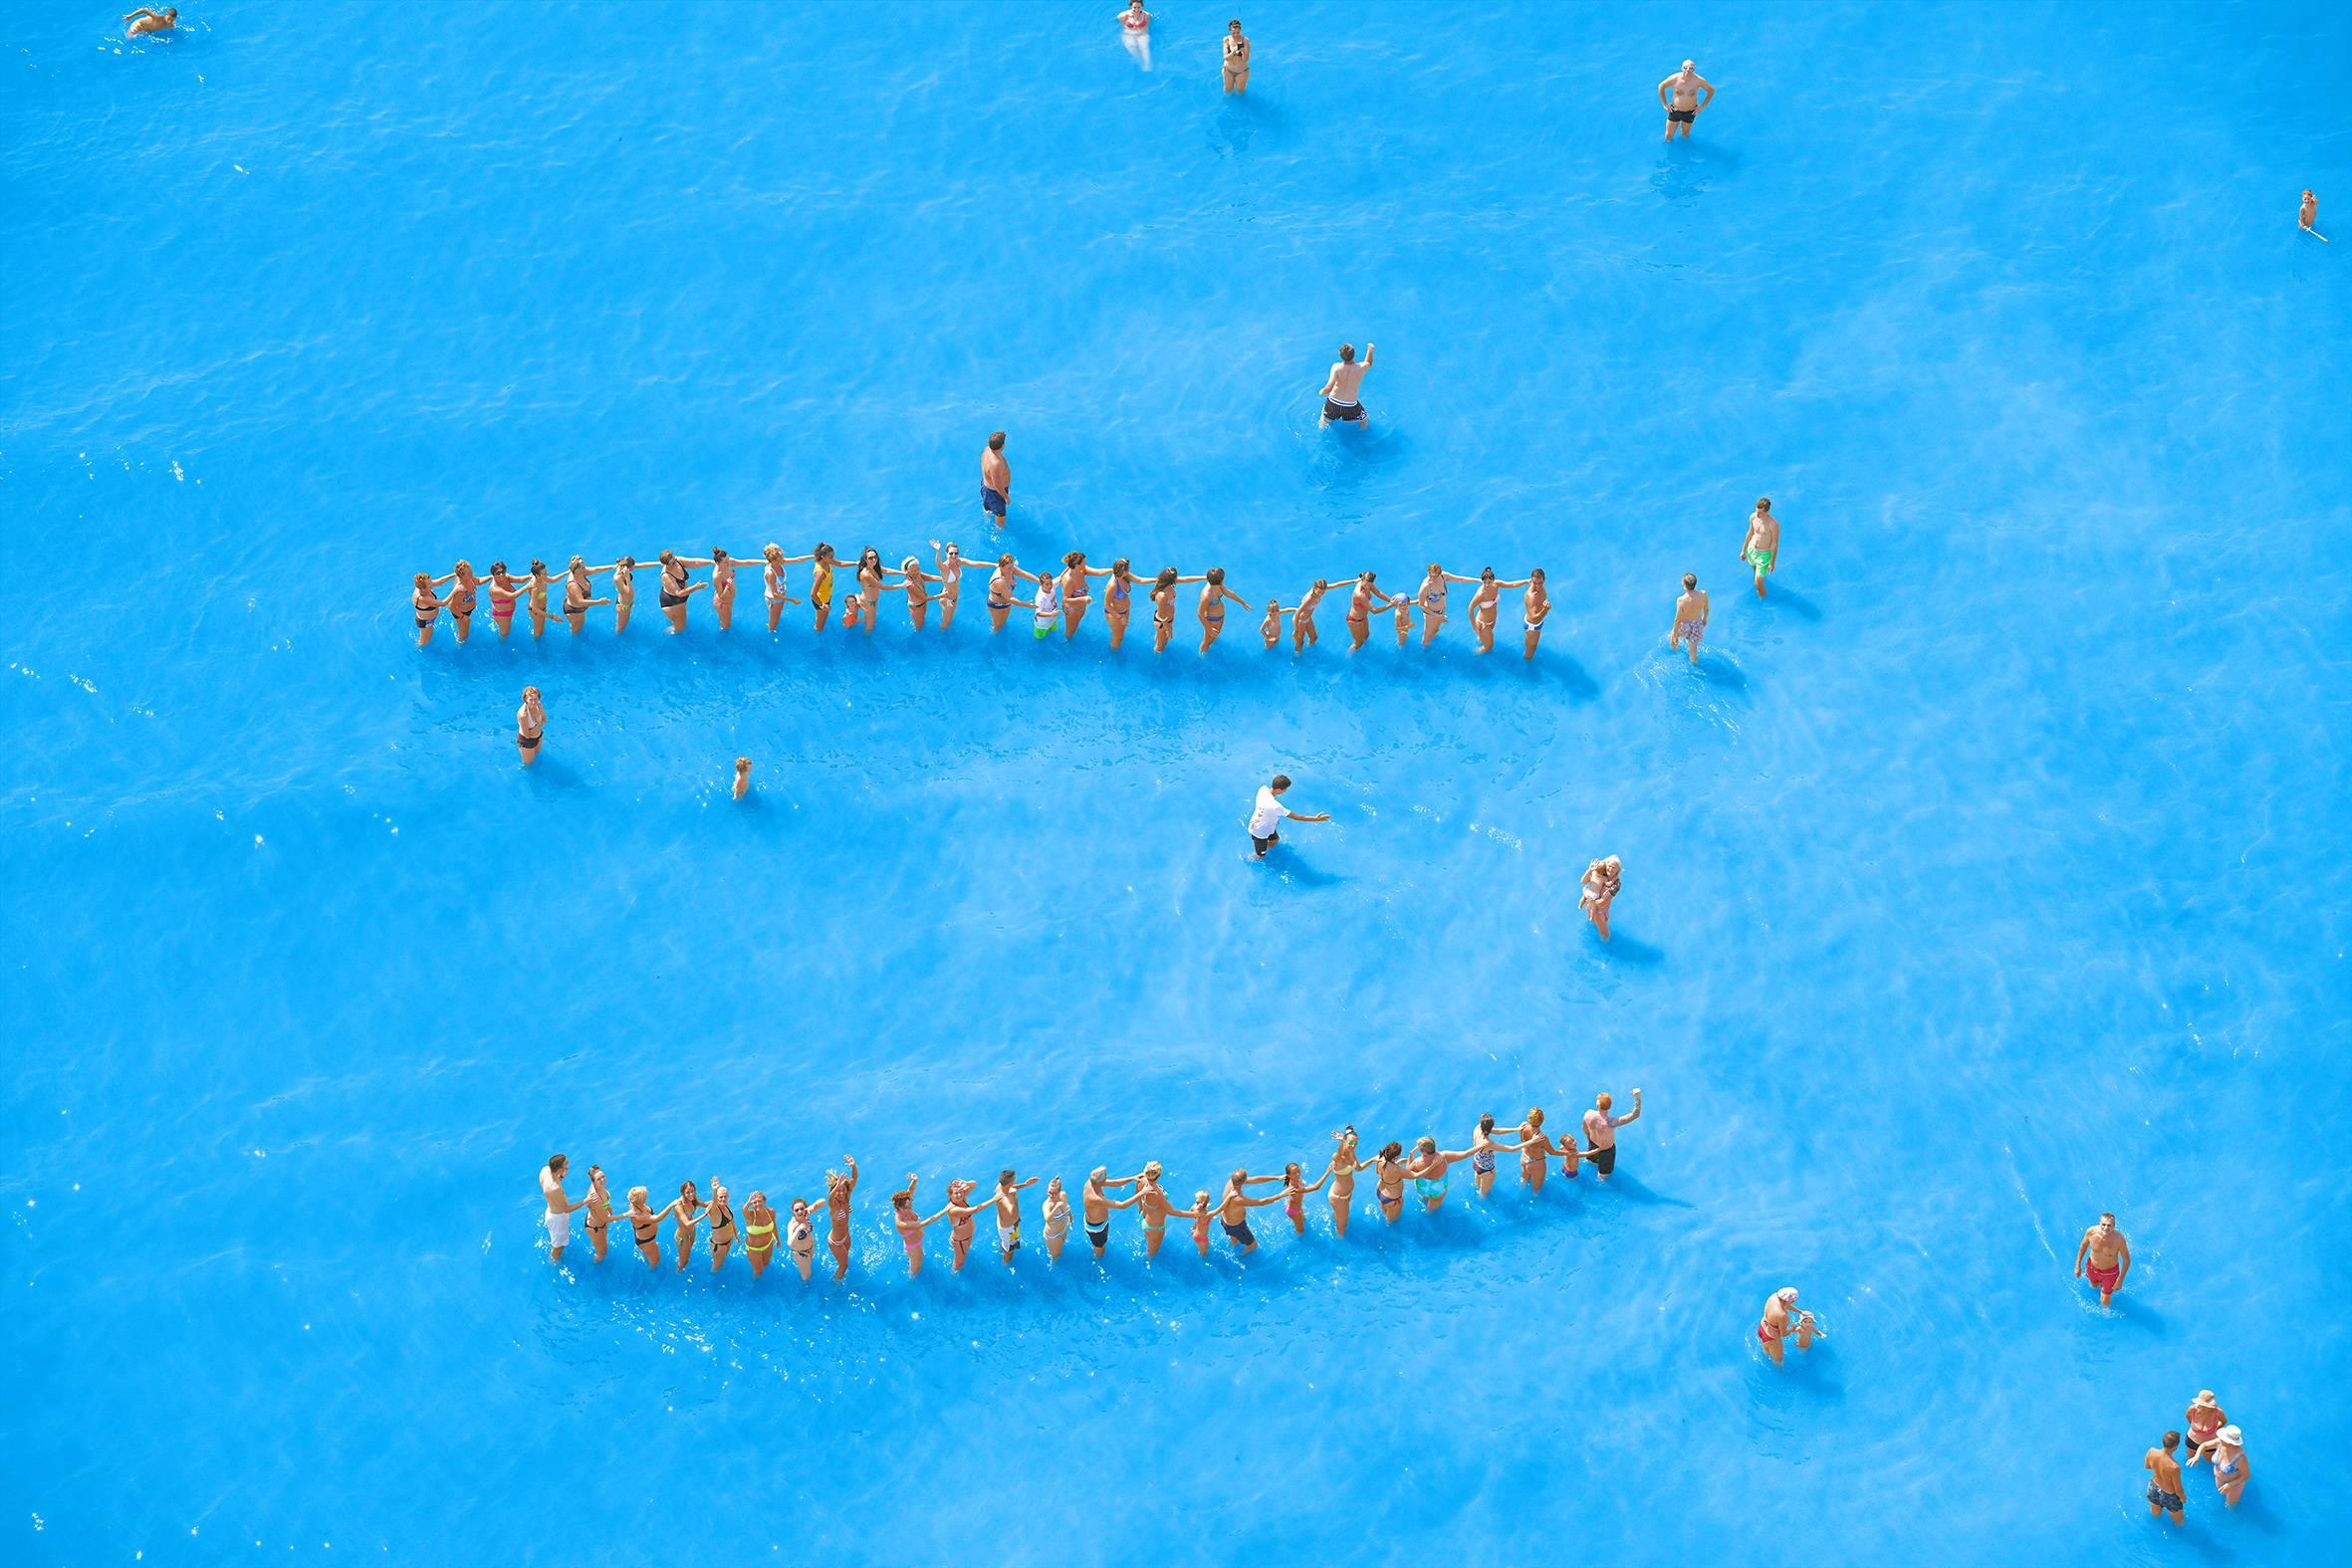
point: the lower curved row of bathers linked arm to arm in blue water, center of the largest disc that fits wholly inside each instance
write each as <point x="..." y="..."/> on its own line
<point x="756" y="1228"/>
